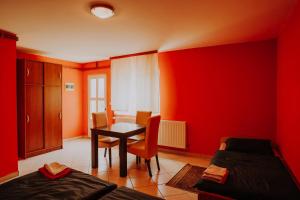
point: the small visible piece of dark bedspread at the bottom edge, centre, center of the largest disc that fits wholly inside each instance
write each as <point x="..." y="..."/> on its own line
<point x="123" y="193"/>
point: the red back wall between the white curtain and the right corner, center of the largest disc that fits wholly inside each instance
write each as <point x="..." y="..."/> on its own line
<point x="220" y="91"/>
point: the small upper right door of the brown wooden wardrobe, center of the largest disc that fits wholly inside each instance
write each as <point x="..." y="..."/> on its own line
<point x="52" y="74"/>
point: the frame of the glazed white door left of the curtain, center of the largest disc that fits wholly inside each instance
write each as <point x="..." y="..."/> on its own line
<point x="89" y="77"/>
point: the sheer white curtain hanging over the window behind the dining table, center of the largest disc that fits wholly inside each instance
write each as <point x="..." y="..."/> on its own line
<point x="135" y="84"/>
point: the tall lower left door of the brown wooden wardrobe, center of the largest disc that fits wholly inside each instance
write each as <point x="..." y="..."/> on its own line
<point x="34" y="118"/>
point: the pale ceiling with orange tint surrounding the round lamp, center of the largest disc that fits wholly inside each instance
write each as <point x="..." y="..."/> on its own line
<point x="66" y="29"/>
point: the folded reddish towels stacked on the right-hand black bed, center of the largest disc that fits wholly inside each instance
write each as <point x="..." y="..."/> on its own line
<point x="216" y="174"/>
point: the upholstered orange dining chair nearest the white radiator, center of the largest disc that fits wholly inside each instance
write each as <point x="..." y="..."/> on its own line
<point x="147" y="148"/>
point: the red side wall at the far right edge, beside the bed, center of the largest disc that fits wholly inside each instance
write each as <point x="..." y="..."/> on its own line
<point x="288" y="123"/>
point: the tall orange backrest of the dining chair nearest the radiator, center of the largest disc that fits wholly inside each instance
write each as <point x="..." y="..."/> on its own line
<point x="152" y="135"/>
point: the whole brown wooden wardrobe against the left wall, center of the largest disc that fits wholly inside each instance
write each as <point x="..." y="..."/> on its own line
<point x="39" y="107"/>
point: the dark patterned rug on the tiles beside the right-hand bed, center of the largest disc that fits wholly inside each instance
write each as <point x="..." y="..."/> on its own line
<point x="186" y="178"/>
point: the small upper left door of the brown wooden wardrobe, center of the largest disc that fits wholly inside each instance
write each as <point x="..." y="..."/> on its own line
<point x="33" y="72"/>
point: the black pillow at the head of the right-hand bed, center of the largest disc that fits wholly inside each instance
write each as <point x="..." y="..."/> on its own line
<point x="253" y="146"/>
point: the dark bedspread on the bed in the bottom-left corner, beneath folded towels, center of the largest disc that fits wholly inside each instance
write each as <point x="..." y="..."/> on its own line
<point x="77" y="185"/>
